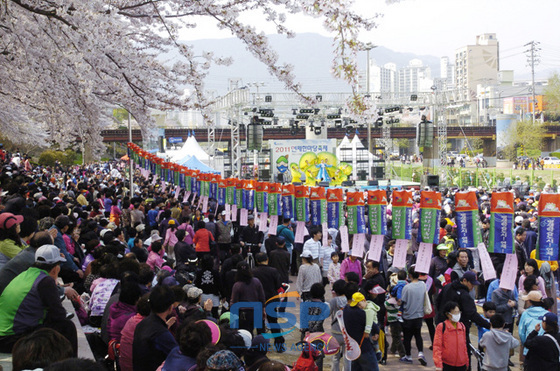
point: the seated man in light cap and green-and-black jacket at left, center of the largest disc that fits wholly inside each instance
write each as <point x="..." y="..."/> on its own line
<point x="32" y="301"/>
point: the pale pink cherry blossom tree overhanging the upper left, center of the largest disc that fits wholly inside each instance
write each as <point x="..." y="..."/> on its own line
<point x="64" y="64"/>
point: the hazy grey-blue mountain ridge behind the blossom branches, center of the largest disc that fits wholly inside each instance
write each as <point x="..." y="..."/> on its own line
<point x="310" y="54"/>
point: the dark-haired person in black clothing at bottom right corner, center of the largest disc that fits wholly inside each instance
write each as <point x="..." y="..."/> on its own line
<point x="544" y="351"/>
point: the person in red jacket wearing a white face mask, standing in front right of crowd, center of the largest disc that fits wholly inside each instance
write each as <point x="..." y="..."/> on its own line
<point x="450" y="344"/>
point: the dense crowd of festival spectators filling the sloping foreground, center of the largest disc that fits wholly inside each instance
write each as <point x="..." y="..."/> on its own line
<point x="152" y="276"/>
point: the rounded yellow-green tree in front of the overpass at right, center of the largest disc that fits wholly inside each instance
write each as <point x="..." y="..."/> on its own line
<point x="524" y="133"/>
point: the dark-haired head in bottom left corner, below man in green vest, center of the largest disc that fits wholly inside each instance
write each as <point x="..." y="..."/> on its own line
<point x="40" y="349"/>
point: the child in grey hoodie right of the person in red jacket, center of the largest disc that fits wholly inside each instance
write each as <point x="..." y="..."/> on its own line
<point x="498" y="343"/>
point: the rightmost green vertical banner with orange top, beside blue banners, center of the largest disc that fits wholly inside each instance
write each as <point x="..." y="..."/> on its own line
<point x="430" y="210"/>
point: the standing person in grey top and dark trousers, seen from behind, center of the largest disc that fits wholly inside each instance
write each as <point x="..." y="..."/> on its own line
<point x="413" y="295"/>
